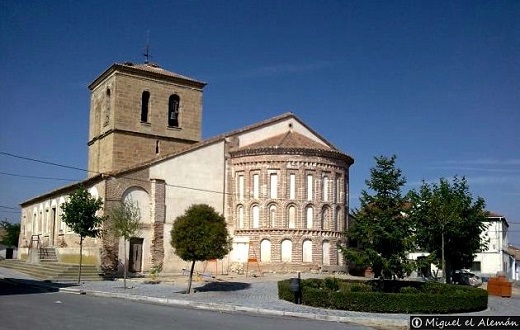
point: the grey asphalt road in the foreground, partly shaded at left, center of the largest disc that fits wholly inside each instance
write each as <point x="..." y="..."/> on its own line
<point x="23" y="307"/>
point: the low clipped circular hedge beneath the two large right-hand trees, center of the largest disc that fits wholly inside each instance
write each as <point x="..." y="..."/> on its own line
<point x="402" y="296"/>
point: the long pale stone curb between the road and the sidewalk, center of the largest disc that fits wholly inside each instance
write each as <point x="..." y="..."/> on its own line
<point x="370" y="322"/>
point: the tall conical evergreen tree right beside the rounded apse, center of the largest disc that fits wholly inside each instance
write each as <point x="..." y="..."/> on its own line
<point x="380" y="227"/>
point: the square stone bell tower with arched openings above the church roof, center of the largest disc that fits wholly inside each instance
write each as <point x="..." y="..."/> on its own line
<point x="139" y="112"/>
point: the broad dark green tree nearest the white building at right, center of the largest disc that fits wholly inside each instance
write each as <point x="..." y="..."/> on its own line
<point x="449" y="223"/>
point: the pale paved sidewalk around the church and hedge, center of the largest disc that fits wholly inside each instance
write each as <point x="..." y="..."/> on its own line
<point x="248" y="294"/>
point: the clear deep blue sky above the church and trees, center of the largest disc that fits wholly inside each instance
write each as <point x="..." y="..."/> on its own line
<point x="435" y="82"/>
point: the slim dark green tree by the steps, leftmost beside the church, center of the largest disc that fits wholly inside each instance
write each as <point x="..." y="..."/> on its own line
<point x="79" y="213"/>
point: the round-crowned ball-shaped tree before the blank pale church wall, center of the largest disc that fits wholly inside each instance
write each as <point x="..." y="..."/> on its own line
<point x="200" y="234"/>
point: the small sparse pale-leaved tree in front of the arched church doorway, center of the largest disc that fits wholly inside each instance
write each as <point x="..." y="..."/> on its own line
<point x="124" y="221"/>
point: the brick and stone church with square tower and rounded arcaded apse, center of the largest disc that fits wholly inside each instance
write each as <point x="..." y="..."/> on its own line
<point x="283" y="188"/>
